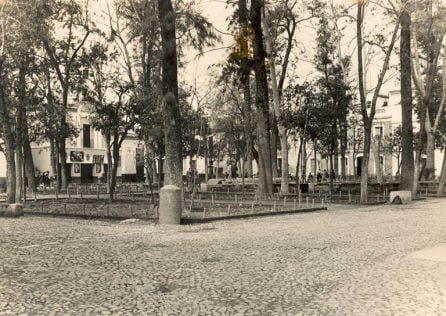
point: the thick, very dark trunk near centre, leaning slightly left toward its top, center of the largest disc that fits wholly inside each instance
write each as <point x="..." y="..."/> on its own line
<point x="265" y="187"/>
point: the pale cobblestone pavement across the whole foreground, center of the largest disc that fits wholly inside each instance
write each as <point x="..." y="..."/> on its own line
<point x="344" y="261"/>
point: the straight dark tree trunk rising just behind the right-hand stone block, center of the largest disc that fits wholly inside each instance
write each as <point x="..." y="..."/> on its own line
<point x="407" y="159"/>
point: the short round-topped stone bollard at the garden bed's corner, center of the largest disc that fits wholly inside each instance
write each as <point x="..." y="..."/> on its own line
<point x="170" y="205"/>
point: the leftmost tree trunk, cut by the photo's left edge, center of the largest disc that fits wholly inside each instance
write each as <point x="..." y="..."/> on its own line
<point x="8" y="138"/>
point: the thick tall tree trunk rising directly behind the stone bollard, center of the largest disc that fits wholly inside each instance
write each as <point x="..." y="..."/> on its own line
<point x="171" y="112"/>
